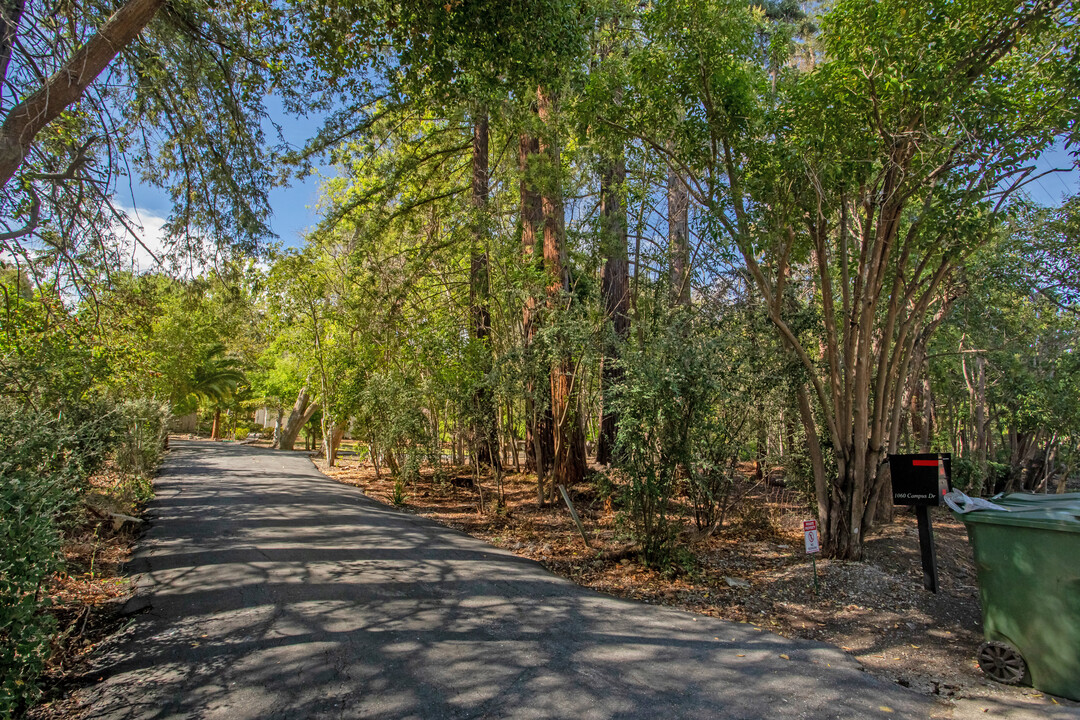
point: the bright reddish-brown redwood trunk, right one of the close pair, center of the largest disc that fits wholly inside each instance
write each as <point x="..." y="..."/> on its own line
<point x="570" y="466"/>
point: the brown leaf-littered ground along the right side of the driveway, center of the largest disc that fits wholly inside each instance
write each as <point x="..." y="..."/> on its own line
<point x="753" y="570"/>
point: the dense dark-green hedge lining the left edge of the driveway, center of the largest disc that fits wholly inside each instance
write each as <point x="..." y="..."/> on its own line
<point x="45" y="463"/>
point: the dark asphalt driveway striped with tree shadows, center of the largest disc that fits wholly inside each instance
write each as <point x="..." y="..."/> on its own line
<point x="278" y="593"/>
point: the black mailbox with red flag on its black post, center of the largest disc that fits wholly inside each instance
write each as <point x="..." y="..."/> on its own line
<point x="922" y="481"/>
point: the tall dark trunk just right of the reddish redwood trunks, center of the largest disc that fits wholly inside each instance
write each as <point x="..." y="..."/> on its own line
<point x="615" y="287"/>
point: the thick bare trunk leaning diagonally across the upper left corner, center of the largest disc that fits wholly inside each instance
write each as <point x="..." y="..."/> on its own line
<point x="29" y="118"/>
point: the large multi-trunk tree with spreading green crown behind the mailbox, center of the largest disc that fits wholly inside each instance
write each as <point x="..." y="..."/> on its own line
<point x="873" y="174"/>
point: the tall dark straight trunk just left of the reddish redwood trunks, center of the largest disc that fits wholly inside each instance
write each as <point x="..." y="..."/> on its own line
<point x="485" y="428"/>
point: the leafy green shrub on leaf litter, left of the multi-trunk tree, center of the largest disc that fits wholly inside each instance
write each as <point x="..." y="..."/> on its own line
<point x="683" y="414"/>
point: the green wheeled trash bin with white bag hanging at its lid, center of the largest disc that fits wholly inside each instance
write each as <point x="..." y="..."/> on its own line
<point x="1029" y="566"/>
